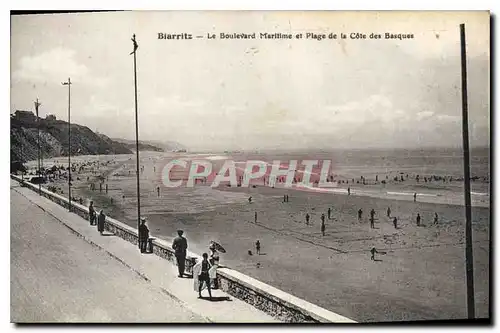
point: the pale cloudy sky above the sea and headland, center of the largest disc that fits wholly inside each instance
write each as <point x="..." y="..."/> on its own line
<point x="258" y="94"/>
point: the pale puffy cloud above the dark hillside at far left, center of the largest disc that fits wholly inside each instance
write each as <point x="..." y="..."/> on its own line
<point x="56" y="65"/>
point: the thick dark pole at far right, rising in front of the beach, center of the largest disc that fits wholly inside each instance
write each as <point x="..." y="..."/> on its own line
<point x="469" y="264"/>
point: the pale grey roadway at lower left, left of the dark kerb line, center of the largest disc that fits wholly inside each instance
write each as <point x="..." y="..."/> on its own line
<point x="58" y="277"/>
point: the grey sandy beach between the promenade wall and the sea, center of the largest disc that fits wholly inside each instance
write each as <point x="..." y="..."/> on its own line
<point x="421" y="276"/>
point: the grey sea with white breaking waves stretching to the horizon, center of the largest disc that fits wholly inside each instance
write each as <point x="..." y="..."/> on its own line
<point x="362" y="172"/>
